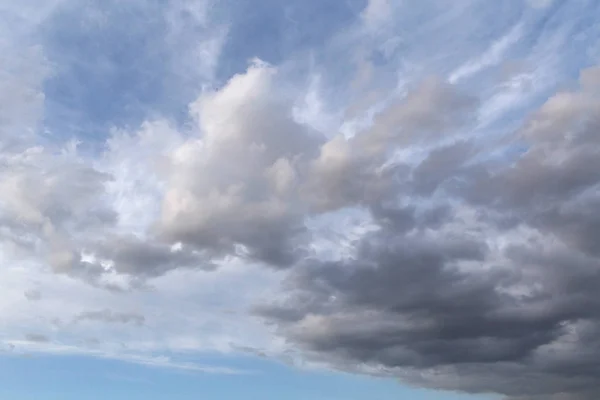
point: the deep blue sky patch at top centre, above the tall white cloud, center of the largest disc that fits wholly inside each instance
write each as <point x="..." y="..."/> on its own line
<point x="276" y="31"/>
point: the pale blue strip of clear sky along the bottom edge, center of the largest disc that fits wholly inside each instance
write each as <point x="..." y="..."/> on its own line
<point x="74" y="378"/>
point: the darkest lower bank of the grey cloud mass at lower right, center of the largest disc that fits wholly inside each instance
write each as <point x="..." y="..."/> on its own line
<point x="402" y="304"/>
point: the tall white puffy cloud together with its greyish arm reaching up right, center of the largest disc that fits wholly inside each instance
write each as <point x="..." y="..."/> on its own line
<point x="283" y="171"/>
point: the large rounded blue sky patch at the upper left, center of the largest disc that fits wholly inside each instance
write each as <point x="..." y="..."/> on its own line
<point x="116" y="64"/>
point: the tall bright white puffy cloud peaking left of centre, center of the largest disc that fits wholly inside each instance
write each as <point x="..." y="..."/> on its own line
<point x="214" y="203"/>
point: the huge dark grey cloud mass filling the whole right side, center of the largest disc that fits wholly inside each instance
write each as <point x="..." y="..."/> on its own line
<point x="490" y="286"/>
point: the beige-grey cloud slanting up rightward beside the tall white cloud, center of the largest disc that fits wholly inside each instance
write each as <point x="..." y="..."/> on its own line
<point x="351" y="172"/>
